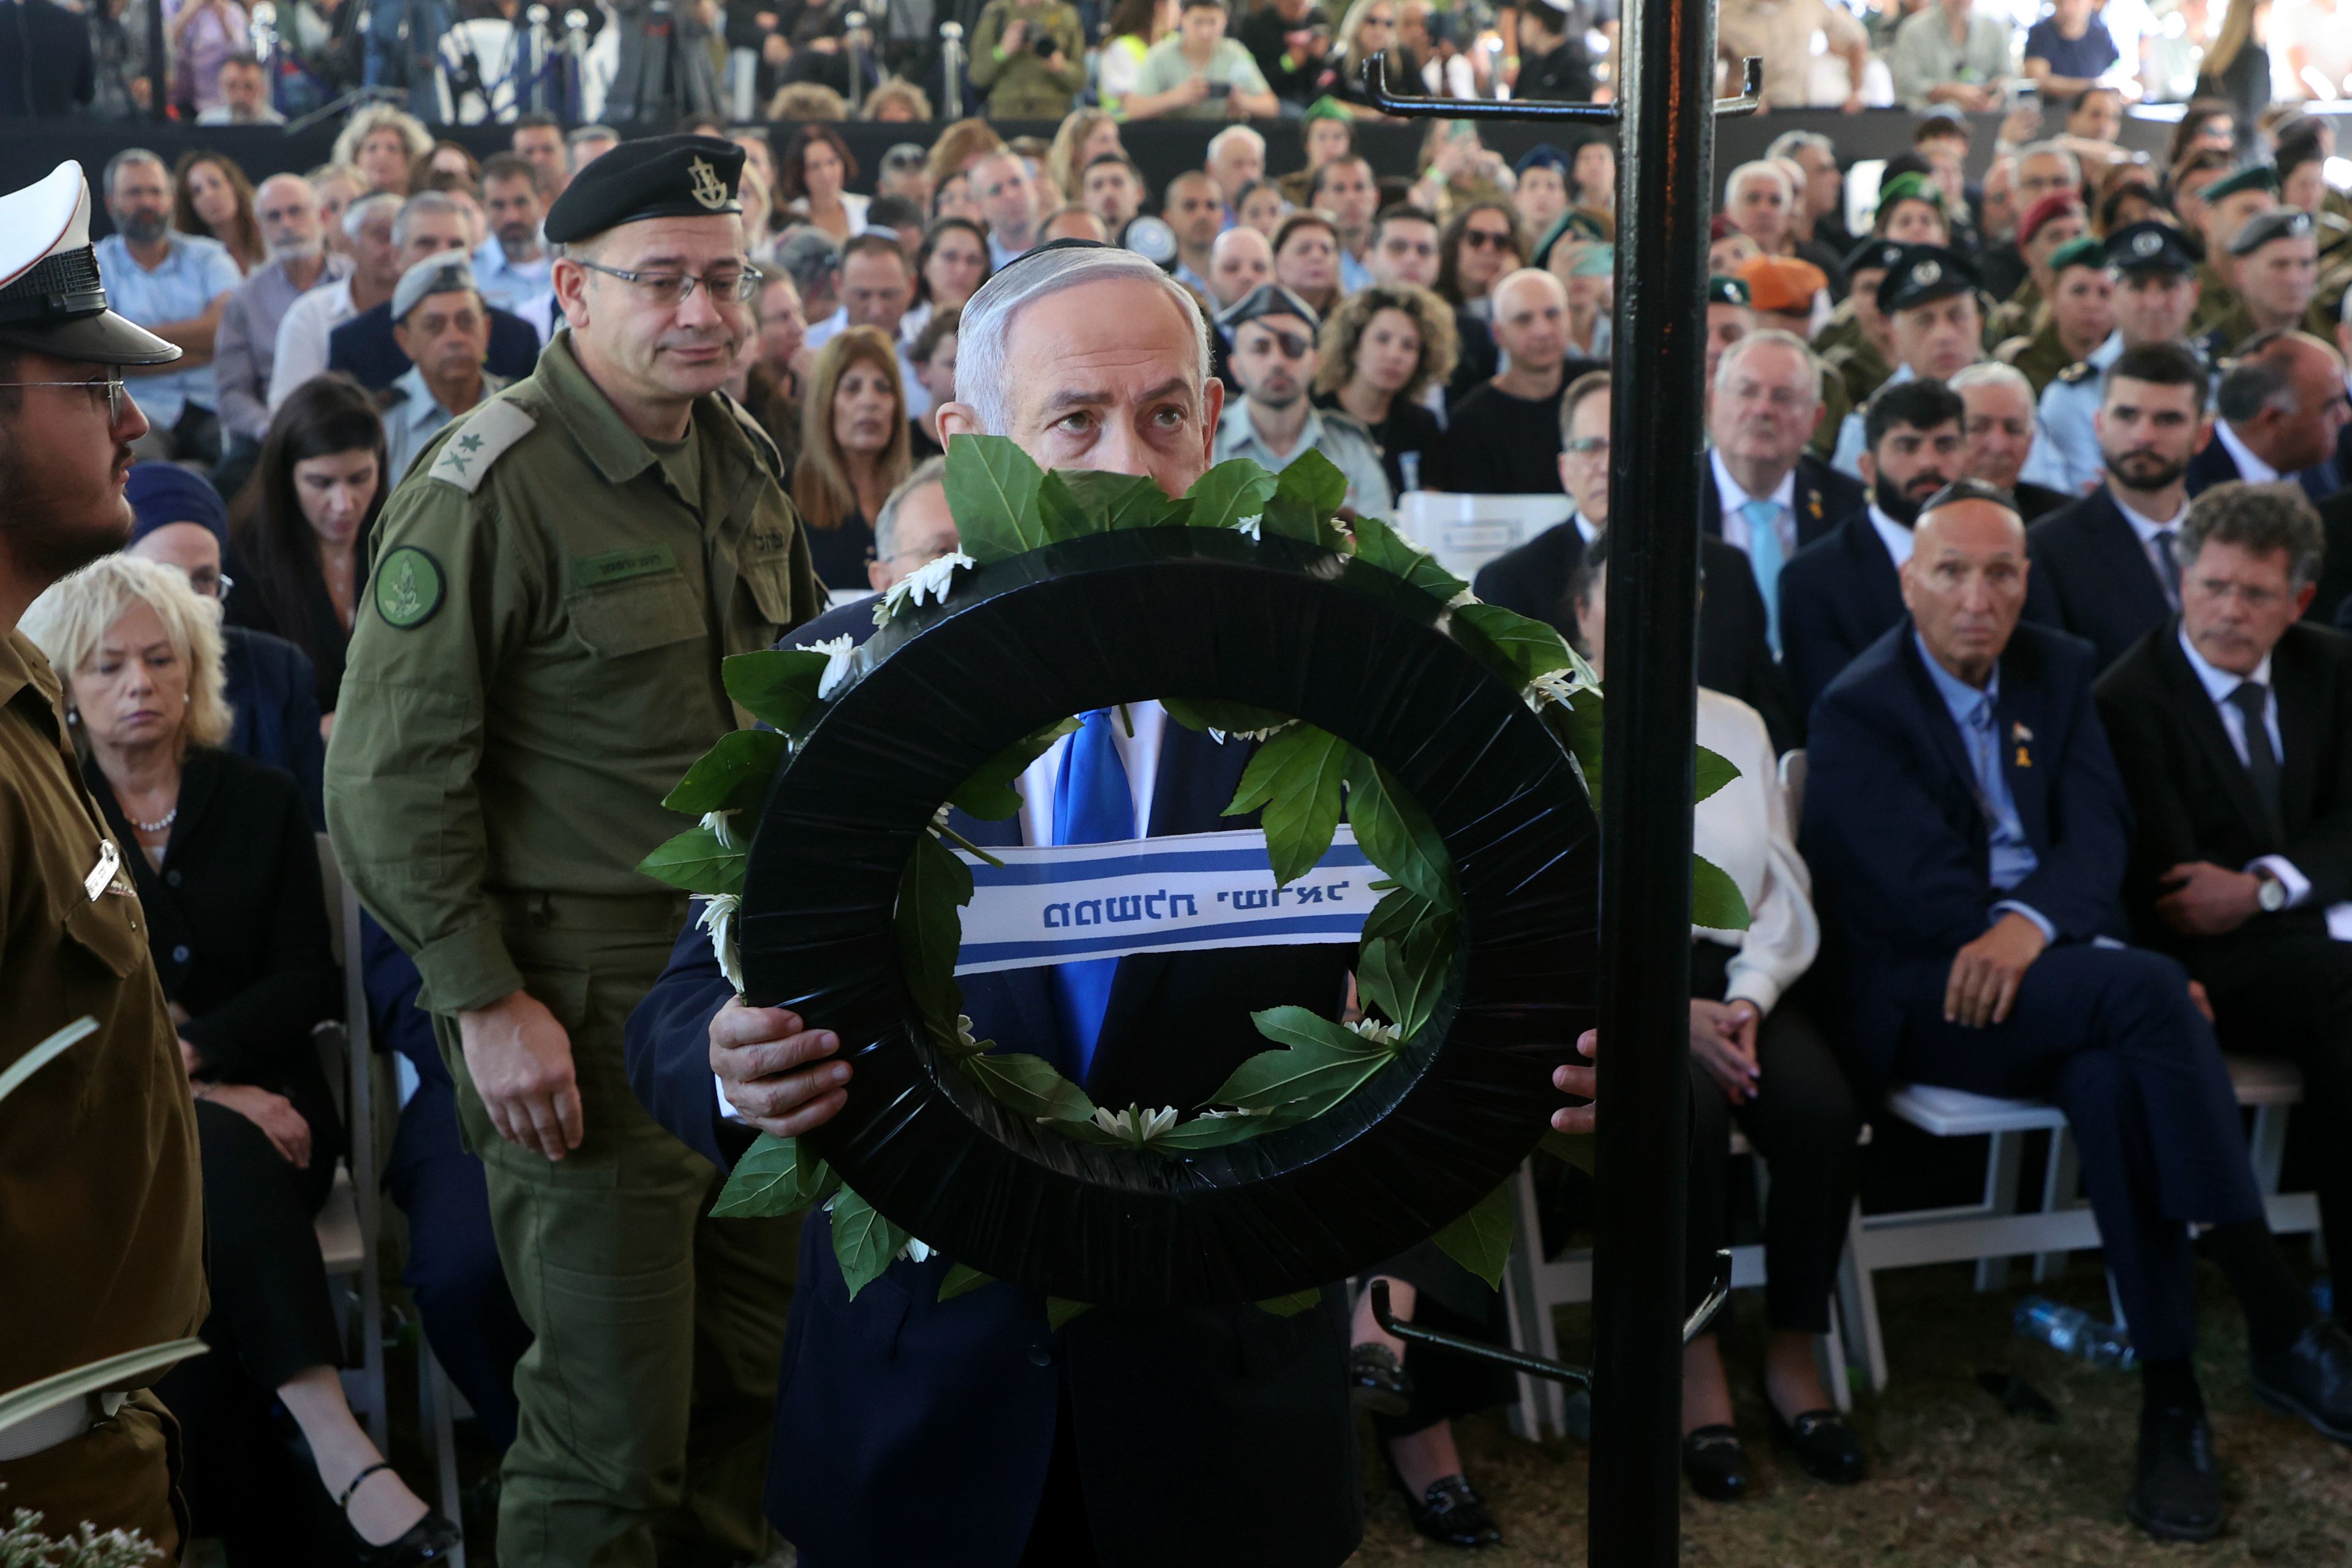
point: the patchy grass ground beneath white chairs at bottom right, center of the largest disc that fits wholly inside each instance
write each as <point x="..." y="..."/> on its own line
<point x="1956" y="1480"/>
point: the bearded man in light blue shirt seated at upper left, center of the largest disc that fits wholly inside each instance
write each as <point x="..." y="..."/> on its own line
<point x="173" y="286"/>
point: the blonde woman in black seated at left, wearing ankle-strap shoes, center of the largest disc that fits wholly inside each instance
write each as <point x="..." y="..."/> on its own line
<point x="227" y="873"/>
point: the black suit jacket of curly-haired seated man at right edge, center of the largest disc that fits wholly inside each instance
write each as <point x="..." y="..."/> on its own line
<point x="2193" y="798"/>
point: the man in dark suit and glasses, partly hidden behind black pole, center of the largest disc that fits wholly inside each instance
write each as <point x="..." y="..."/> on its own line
<point x="1535" y="579"/>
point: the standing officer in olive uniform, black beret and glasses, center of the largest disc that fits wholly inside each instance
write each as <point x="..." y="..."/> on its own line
<point x="535" y="664"/>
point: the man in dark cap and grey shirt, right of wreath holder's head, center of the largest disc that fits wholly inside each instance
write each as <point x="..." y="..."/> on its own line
<point x="1274" y="359"/>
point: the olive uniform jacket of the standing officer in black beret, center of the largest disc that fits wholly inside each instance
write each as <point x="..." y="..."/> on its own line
<point x="537" y="662"/>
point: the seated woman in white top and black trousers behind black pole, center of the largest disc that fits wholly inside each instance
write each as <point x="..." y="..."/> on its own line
<point x="1758" y="1061"/>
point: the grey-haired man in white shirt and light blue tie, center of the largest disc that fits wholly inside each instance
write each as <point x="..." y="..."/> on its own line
<point x="1765" y="492"/>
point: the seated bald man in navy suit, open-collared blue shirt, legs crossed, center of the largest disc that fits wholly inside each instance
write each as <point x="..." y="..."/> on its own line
<point x="1967" y="833"/>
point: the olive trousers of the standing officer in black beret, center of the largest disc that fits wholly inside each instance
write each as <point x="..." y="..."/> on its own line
<point x="650" y="1388"/>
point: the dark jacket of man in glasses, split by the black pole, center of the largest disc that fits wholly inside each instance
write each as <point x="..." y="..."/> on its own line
<point x="1732" y="650"/>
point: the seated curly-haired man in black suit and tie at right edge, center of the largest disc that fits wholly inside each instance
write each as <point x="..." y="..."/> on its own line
<point x="2233" y="728"/>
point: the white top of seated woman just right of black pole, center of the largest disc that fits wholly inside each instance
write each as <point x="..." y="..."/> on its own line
<point x="1746" y="831"/>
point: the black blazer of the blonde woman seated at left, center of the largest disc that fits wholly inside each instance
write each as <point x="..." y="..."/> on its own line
<point x="239" y="925"/>
